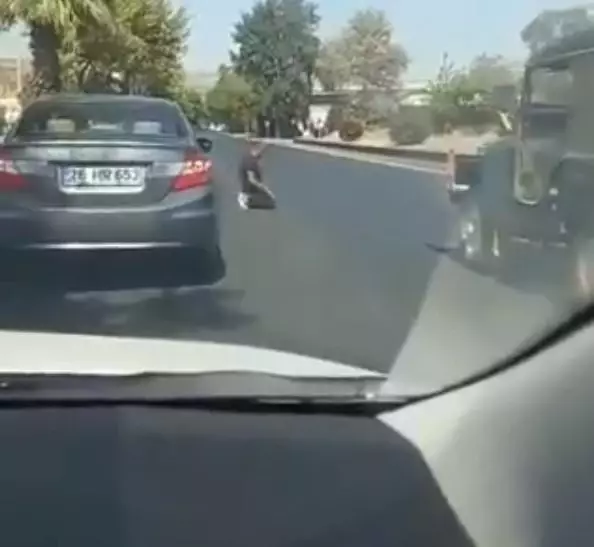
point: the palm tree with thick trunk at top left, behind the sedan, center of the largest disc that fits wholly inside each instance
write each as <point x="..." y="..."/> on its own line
<point x="51" y="24"/>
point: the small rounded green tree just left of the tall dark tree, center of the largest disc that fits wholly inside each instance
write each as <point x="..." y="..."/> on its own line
<point x="232" y="101"/>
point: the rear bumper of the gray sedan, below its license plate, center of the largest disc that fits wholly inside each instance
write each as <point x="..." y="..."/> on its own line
<point x="190" y="225"/>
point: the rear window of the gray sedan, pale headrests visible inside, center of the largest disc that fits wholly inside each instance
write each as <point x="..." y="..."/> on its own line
<point x="101" y="120"/>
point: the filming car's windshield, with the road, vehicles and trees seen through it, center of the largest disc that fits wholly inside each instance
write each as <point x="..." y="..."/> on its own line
<point x="286" y="175"/>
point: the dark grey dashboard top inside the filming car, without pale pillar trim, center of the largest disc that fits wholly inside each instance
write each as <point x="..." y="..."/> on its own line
<point x="169" y="477"/>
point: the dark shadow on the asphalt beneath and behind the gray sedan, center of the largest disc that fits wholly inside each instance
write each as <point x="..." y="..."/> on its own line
<point x="134" y="298"/>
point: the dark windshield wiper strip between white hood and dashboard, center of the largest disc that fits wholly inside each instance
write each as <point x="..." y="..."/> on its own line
<point x="232" y="390"/>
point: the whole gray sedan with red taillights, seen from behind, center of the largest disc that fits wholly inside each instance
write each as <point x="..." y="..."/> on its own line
<point x="91" y="172"/>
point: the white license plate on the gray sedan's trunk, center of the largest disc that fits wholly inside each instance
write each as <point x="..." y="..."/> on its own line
<point x="102" y="179"/>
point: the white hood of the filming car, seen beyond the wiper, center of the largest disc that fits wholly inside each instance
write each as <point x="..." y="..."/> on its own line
<point x="41" y="353"/>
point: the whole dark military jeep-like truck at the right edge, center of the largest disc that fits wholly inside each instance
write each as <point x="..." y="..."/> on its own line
<point x="535" y="185"/>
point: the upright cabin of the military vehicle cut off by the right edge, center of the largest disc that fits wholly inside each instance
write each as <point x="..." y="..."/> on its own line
<point x="556" y="120"/>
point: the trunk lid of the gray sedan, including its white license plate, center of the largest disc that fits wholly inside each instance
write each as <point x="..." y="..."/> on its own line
<point x="98" y="174"/>
